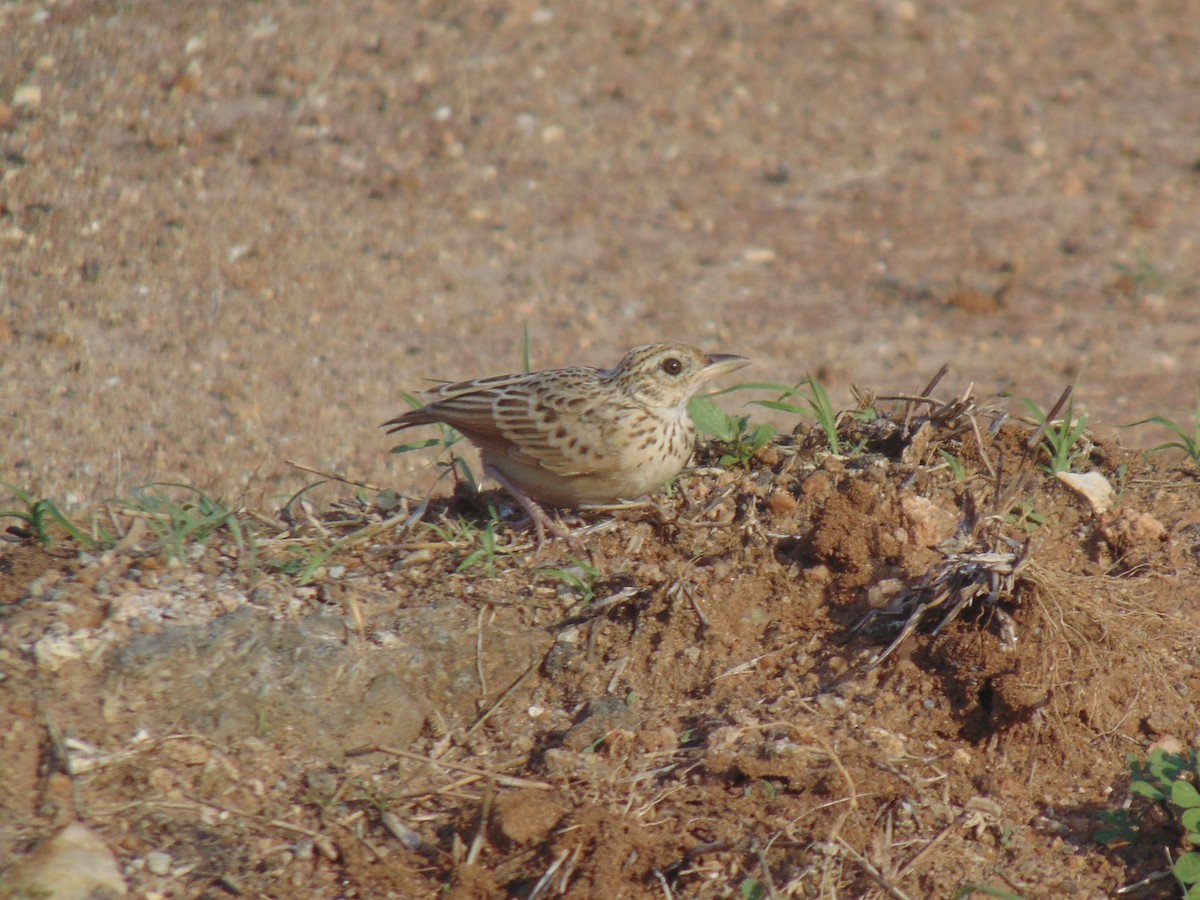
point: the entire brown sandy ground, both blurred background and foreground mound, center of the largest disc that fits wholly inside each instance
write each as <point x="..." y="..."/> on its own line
<point x="235" y="235"/>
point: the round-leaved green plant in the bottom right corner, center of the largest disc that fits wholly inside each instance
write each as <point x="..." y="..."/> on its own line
<point x="1169" y="781"/>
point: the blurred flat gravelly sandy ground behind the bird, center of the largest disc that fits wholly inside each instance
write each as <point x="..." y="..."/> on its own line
<point x="233" y="235"/>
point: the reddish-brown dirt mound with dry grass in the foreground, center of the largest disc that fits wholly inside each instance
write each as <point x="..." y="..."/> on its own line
<point x="814" y="675"/>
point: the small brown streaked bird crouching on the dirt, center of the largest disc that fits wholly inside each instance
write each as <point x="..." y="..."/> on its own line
<point x="569" y="437"/>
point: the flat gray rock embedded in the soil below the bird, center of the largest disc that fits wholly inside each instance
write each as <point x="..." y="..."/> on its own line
<point x="248" y="675"/>
